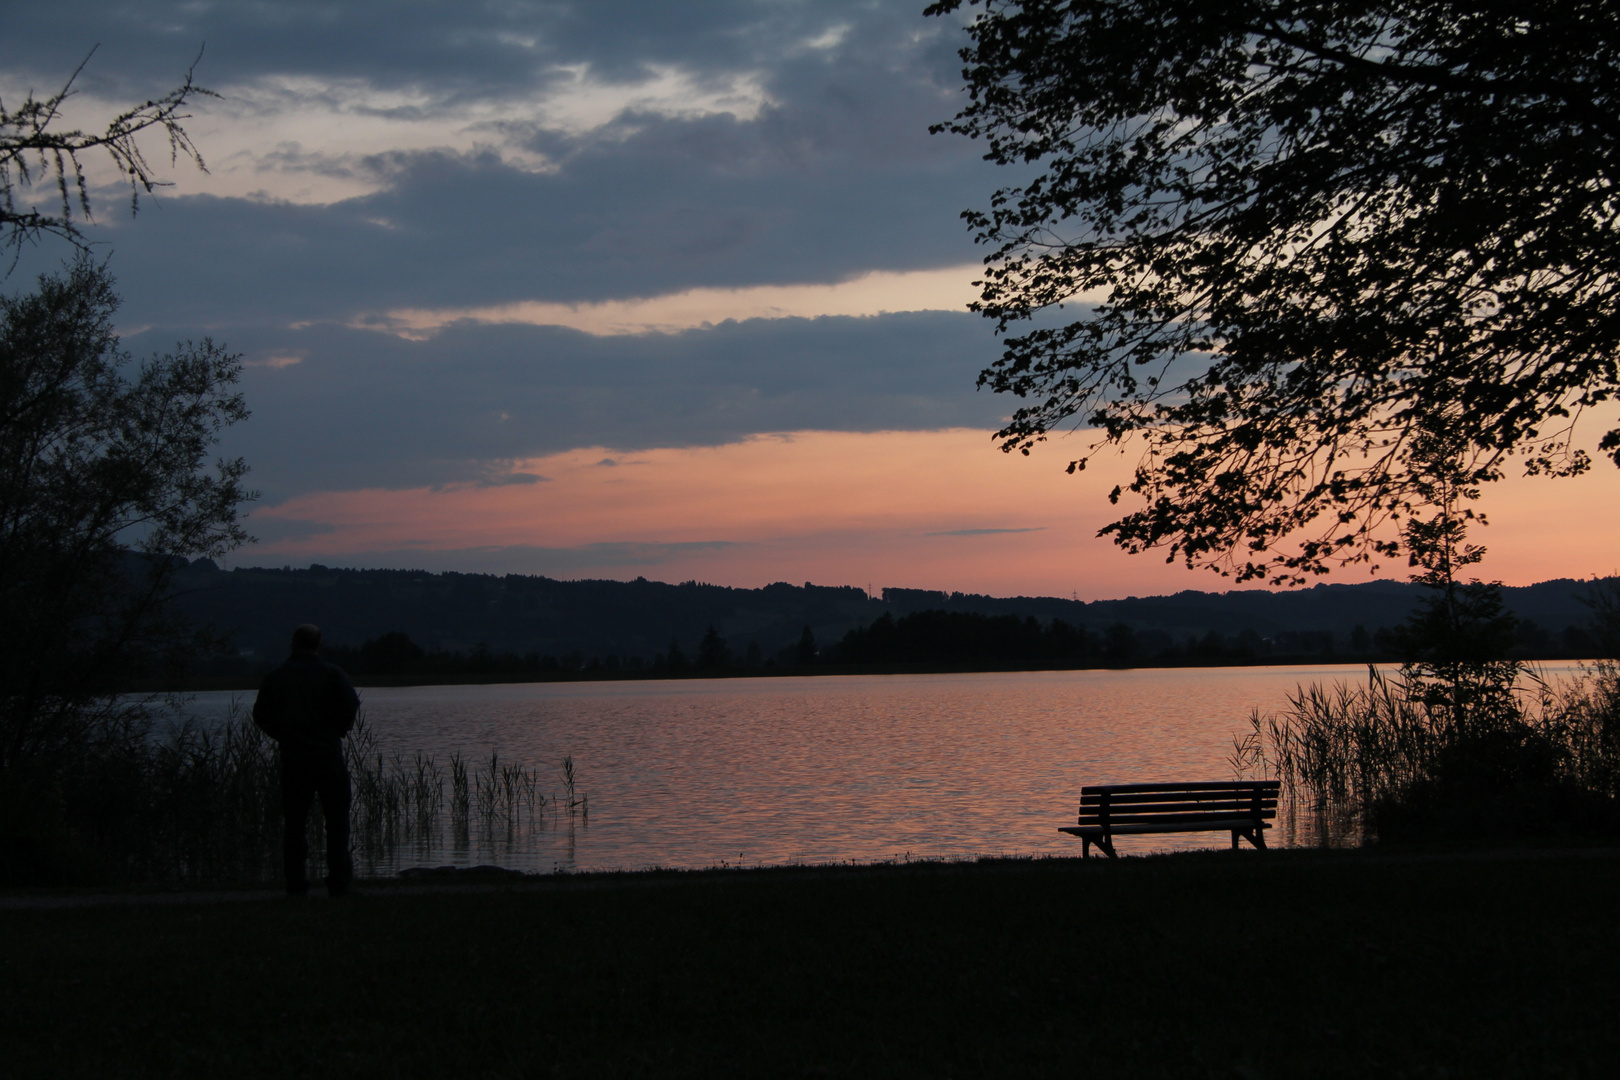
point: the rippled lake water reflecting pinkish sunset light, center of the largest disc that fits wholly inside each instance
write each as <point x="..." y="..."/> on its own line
<point x="824" y="770"/>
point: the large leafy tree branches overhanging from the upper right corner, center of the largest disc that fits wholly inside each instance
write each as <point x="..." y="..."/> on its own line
<point x="1295" y="229"/>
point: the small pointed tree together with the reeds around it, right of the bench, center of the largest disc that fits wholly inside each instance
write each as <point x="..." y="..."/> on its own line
<point x="1456" y="749"/>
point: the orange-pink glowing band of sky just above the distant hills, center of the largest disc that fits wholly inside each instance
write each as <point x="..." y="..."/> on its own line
<point x="940" y="511"/>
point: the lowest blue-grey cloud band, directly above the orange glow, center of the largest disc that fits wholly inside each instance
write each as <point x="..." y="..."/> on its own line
<point x="369" y="409"/>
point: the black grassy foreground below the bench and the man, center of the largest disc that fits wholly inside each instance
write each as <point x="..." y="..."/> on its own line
<point x="1250" y="966"/>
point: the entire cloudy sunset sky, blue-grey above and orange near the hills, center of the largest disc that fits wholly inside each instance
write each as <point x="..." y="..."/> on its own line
<point x="613" y="289"/>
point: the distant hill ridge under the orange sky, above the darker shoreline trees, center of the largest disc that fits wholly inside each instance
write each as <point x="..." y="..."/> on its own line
<point x="634" y="623"/>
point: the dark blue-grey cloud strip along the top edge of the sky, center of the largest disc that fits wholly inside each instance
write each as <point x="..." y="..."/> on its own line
<point x="451" y="49"/>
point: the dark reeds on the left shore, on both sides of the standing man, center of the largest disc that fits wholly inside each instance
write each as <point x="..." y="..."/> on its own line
<point x="202" y="804"/>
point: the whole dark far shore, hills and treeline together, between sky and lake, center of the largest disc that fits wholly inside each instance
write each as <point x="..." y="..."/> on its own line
<point x="420" y="626"/>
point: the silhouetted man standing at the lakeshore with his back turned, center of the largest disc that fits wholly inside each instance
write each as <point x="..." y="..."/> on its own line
<point x="307" y="707"/>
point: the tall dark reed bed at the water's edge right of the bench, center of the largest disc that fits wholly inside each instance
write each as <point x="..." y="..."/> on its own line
<point x="1355" y="760"/>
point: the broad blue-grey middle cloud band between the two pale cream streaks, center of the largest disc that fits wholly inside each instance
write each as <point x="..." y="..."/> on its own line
<point x="837" y="179"/>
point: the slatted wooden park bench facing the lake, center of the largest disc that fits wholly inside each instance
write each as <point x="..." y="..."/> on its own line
<point x="1109" y="810"/>
